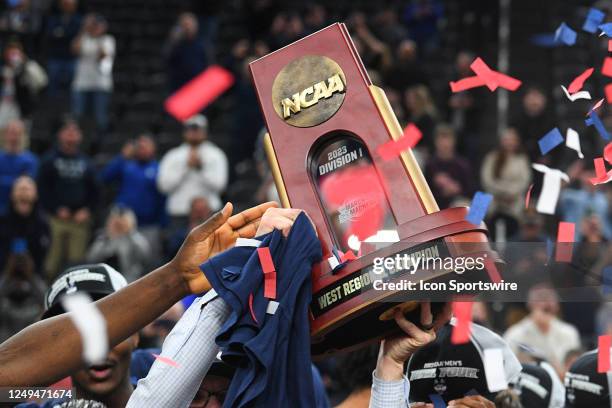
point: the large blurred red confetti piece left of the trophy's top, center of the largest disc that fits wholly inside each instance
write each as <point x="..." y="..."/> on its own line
<point x="199" y="92"/>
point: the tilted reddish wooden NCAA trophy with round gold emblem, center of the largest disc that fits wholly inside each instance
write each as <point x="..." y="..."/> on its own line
<point x="325" y="120"/>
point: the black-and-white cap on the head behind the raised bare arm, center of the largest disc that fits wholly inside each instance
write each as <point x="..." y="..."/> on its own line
<point x="97" y="280"/>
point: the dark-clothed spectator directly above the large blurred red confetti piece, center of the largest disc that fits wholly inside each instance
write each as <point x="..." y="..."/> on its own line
<point x="185" y="52"/>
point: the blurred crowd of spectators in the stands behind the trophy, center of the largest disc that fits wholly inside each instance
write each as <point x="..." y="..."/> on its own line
<point x="73" y="203"/>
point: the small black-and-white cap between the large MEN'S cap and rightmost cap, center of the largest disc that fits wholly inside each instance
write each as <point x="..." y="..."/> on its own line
<point x="539" y="386"/>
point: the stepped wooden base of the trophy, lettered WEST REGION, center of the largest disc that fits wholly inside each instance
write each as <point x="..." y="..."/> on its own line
<point x="358" y="314"/>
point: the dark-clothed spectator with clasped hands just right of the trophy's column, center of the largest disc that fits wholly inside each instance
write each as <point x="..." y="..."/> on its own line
<point x="450" y="176"/>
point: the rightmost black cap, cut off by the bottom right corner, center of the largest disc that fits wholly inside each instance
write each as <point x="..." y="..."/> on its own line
<point x="584" y="386"/>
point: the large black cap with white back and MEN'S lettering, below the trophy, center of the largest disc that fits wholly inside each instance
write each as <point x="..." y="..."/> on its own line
<point x="456" y="370"/>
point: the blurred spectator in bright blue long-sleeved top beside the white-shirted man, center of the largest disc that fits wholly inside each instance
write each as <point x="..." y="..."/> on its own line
<point x="136" y="170"/>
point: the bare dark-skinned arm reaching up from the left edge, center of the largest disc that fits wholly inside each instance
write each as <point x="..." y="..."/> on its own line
<point x="50" y="350"/>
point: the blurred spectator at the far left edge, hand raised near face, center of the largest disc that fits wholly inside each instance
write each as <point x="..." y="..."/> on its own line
<point x="21" y="80"/>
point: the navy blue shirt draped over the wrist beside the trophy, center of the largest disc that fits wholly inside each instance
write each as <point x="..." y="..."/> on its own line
<point x="271" y="352"/>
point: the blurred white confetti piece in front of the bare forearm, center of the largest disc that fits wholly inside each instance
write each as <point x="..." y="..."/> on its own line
<point x="91" y="325"/>
